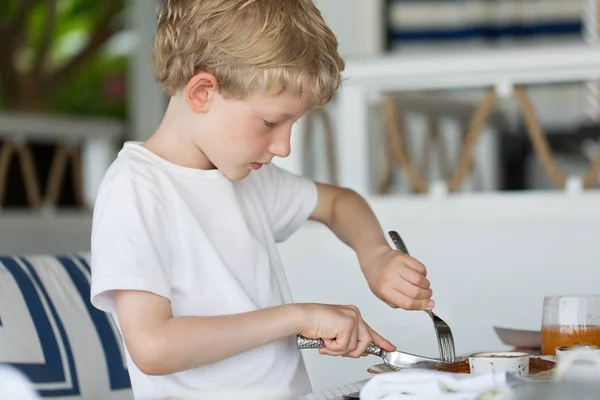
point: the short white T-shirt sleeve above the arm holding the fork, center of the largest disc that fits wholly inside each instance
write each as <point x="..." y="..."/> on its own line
<point x="290" y="200"/>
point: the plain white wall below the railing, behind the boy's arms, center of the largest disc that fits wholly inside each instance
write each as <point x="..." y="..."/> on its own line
<point x="491" y="260"/>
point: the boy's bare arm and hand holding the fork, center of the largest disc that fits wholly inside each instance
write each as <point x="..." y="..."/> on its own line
<point x="396" y="278"/>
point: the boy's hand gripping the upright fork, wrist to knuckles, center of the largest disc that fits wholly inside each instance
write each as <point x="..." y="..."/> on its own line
<point x="398" y="279"/>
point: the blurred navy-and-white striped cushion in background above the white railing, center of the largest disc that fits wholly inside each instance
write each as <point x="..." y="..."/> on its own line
<point x="419" y="22"/>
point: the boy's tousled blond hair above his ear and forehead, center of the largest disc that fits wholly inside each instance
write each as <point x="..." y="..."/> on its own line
<point x="250" y="46"/>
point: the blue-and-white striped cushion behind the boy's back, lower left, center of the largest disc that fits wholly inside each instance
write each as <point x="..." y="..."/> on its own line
<point x="51" y="332"/>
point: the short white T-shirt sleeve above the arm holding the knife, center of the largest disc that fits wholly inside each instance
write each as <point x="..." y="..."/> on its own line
<point x="129" y="248"/>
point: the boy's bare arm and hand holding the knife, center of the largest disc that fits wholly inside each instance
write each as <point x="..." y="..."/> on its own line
<point x="160" y="344"/>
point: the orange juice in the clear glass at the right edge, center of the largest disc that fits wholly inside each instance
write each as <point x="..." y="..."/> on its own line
<point x="555" y="336"/>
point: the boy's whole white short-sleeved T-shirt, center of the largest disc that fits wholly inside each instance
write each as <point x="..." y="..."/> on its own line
<point x="209" y="245"/>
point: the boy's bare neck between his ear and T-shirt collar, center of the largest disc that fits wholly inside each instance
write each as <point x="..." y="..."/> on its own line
<point x="172" y="141"/>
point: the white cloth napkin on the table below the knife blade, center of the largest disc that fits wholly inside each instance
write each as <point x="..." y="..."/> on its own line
<point x="427" y="384"/>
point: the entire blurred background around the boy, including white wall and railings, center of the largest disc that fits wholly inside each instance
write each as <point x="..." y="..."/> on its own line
<point x="470" y="125"/>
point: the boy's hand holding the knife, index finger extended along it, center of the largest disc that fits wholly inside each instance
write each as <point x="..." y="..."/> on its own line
<point x="342" y="329"/>
